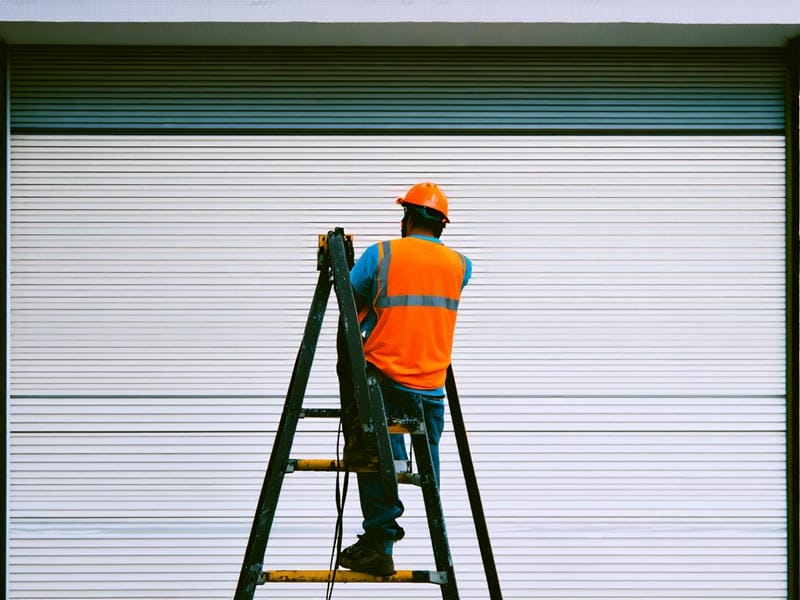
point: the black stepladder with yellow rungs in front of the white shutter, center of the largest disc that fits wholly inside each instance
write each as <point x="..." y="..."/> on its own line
<point x="363" y="412"/>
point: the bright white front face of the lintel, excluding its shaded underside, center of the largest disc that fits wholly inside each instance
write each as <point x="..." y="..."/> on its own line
<point x="448" y="11"/>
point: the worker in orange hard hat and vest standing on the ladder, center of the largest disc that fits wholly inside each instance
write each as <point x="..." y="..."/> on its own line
<point x="407" y="292"/>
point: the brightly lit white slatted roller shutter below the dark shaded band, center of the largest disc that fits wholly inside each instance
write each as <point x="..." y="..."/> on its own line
<point x="620" y="356"/>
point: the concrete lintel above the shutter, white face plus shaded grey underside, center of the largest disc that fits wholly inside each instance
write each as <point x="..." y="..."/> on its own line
<point x="402" y="22"/>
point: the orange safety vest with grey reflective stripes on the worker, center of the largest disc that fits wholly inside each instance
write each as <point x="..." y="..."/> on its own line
<point x="418" y="289"/>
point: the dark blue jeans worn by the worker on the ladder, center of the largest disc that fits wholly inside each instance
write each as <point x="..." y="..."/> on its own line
<point x="379" y="513"/>
